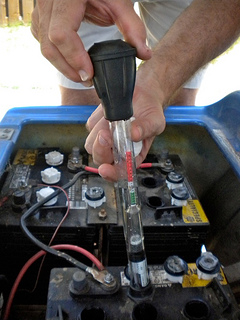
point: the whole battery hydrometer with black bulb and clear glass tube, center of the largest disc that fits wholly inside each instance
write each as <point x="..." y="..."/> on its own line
<point x="114" y="80"/>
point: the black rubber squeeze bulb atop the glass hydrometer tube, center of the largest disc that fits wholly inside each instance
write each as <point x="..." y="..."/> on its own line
<point x="114" y="77"/>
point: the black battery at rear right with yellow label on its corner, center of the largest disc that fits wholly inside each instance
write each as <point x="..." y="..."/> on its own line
<point x="168" y="229"/>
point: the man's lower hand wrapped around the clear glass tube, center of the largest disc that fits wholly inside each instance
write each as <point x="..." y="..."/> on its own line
<point x="149" y="122"/>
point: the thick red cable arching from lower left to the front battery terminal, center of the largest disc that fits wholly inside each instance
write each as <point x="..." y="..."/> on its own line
<point x="37" y="256"/>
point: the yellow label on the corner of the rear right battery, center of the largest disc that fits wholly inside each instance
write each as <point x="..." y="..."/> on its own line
<point x="193" y="212"/>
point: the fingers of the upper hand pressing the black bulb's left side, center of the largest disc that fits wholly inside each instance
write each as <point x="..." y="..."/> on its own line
<point x="55" y="25"/>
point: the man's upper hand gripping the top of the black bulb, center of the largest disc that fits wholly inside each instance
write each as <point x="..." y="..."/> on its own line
<point x="55" y="24"/>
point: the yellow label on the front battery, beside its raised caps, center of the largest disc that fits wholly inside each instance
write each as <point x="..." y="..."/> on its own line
<point x="191" y="278"/>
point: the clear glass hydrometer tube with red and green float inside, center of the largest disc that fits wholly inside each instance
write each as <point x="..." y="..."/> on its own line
<point x="131" y="208"/>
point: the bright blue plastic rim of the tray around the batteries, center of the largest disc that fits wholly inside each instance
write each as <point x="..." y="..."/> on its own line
<point x="221" y="120"/>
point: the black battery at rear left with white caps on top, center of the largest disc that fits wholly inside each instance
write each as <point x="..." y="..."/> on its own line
<point x="19" y="190"/>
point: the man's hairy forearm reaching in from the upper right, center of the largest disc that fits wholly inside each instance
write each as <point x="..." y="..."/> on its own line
<point x="202" y="32"/>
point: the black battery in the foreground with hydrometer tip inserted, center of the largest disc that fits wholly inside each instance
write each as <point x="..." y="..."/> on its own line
<point x="193" y="299"/>
